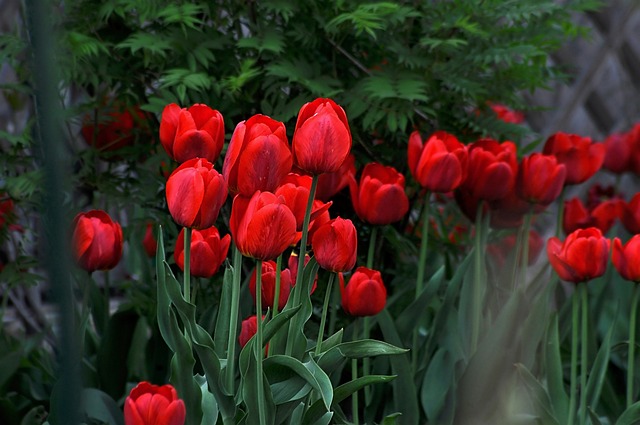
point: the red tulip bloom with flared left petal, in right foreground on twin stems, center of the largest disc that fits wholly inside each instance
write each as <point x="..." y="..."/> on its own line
<point x="581" y="257"/>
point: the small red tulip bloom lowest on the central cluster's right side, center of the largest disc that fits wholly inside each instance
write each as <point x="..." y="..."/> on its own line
<point x="365" y="295"/>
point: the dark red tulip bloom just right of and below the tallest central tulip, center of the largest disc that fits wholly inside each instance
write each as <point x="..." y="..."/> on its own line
<point x="380" y="197"/>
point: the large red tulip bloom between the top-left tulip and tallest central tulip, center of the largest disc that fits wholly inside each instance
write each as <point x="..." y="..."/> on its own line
<point x="258" y="157"/>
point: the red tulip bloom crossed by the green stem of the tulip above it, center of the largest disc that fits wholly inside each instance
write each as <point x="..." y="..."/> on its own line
<point x="208" y="251"/>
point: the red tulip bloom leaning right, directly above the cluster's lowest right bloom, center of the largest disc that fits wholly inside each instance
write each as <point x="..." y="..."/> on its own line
<point x="335" y="245"/>
